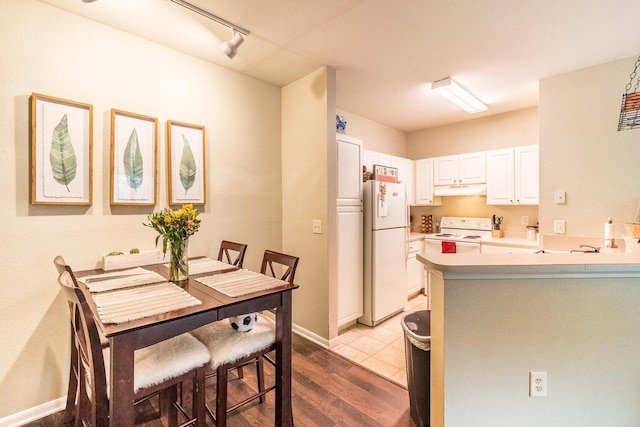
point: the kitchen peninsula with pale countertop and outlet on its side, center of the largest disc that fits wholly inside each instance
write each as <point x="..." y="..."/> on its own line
<point x="496" y="318"/>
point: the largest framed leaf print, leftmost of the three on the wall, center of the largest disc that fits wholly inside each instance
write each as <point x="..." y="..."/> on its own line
<point x="61" y="151"/>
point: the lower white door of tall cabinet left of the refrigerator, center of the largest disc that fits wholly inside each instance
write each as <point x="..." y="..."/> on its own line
<point x="350" y="264"/>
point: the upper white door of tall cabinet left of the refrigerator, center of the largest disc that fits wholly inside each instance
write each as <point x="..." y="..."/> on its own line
<point x="349" y="179"/>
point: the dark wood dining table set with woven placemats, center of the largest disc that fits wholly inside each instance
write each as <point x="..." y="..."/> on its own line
<point x="125" y="338"/>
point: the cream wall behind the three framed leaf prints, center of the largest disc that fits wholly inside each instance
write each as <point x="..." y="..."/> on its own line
<point x="49" y="51"/>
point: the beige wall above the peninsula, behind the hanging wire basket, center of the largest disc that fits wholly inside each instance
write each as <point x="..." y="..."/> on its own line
<point x="582" y="153"/>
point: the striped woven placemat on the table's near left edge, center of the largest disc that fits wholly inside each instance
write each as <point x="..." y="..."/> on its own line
<point x="131" y="304"/>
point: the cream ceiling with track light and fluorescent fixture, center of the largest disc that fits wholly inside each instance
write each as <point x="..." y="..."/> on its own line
<point x="387" y="53"/>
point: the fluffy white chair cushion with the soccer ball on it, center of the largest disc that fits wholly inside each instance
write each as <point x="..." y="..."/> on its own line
<point x="225" y="344"/>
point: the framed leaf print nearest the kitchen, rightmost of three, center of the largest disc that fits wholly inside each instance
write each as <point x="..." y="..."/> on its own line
<point x="185" y="145"/>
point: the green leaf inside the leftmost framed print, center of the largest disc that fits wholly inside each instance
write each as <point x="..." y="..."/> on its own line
<point x="62" y="156"/>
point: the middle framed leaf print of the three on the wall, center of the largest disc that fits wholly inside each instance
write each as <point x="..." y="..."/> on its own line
<point x="134" y="158"/>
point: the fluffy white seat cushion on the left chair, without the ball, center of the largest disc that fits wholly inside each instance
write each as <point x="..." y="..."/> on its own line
<point x="165" y="360"/>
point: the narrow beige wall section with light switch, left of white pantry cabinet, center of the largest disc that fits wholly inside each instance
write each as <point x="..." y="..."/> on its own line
<point x="308" y="135"/>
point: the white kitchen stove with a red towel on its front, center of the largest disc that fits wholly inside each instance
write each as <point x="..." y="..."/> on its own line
<point x="458" y="235"/>
